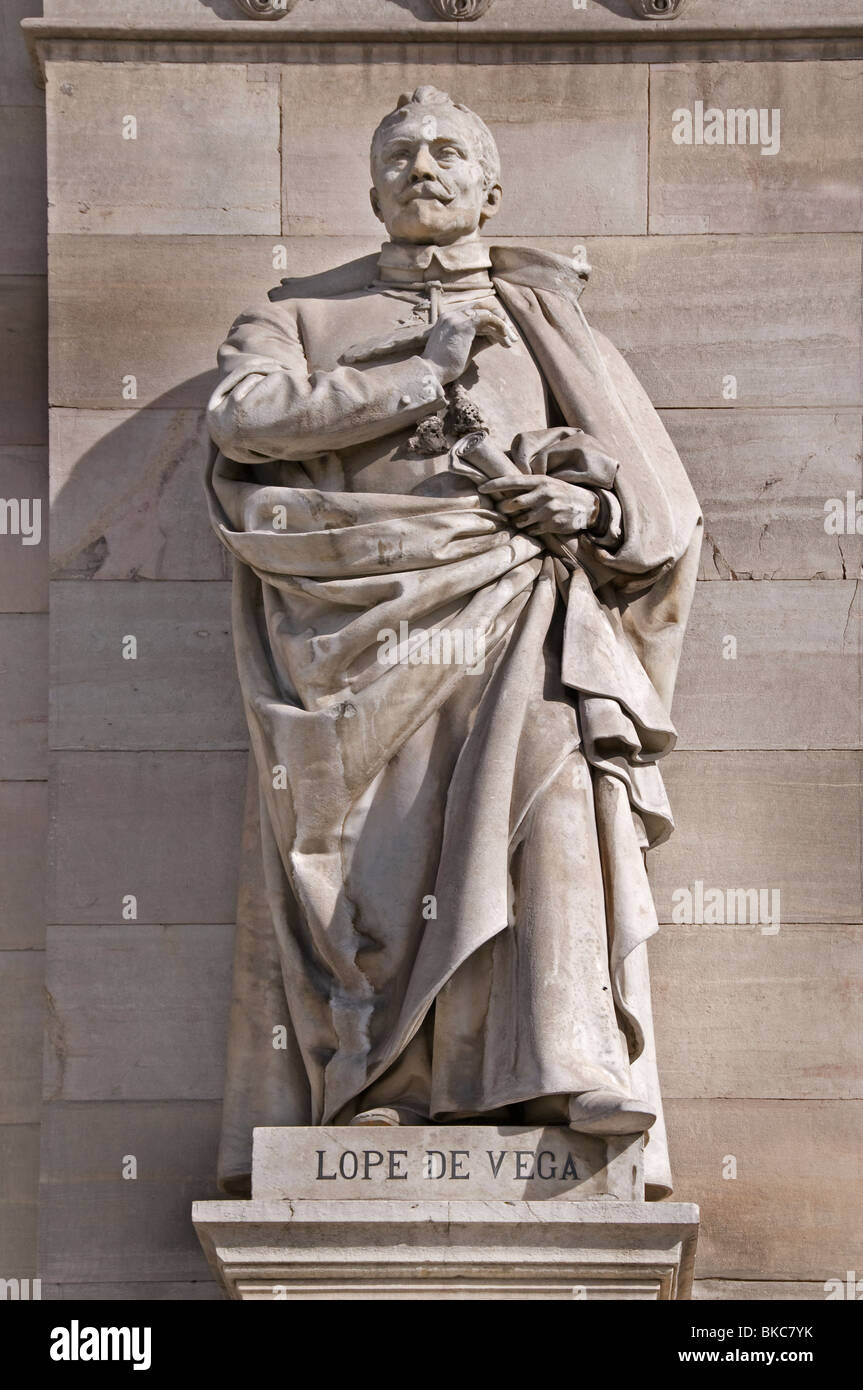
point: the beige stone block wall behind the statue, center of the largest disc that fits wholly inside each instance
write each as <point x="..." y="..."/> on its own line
<point x="249" y="162"/>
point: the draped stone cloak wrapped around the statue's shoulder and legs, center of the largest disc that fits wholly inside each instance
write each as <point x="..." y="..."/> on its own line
<point x="329" y="988"/>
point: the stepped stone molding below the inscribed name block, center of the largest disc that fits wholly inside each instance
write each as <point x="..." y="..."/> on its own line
<point x="393" y="1250"/>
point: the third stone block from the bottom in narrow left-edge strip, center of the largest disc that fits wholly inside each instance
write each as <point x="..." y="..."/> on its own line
<point x="24" y="818"/>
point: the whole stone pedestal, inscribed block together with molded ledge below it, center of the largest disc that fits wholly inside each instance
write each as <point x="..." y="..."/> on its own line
<point x="447" y="1213"/>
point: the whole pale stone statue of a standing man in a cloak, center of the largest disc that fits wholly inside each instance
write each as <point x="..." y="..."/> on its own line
<point x="466" y="551"/>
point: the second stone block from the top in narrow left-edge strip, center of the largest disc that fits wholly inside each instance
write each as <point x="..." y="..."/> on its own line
<point x="23" y="209"/>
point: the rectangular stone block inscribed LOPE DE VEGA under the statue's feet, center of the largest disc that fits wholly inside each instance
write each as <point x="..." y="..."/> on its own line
<point x="443" y="1163"/>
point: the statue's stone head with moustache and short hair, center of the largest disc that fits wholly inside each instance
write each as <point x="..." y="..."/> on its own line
<point x="436" y="170"/>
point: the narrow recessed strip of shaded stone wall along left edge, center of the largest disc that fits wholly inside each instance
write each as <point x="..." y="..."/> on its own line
<point x="23" y="641"/>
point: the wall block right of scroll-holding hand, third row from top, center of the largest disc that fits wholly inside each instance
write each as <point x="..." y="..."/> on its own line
<point x="764" y="479"/>
